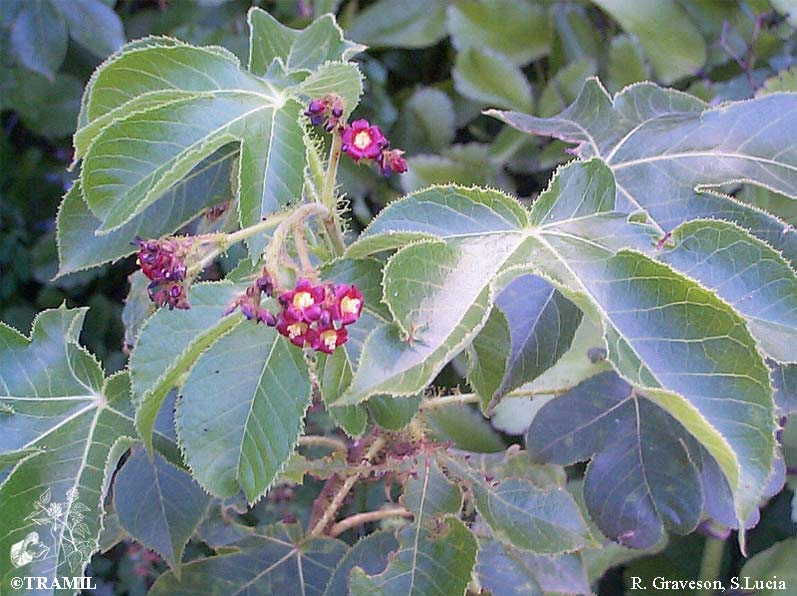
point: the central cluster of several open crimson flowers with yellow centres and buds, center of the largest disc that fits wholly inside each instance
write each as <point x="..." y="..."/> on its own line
<point x="311" y="315"/>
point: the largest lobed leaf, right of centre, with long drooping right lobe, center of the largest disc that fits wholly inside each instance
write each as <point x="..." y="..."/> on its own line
<point x="681" y="343"/>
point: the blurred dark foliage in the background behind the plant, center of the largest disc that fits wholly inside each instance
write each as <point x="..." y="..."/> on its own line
<point x="429" y="74"/>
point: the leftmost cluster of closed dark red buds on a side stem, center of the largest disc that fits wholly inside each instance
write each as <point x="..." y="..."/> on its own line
<point x="163" y="262"/>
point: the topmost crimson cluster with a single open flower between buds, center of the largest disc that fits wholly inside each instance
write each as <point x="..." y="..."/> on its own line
<point x="361" y="140"/>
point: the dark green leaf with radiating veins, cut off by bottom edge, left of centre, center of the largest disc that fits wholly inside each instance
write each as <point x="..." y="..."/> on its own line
<point x="272" y="562"/>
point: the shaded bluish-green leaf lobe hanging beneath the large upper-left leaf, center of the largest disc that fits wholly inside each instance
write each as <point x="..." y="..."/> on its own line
<point x="79" y="245"/>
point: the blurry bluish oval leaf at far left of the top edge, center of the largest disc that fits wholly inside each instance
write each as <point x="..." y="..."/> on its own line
<point x="39" y="37"/>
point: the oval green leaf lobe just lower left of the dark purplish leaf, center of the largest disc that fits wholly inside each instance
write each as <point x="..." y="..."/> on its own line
<point x="521" y="514"/>
